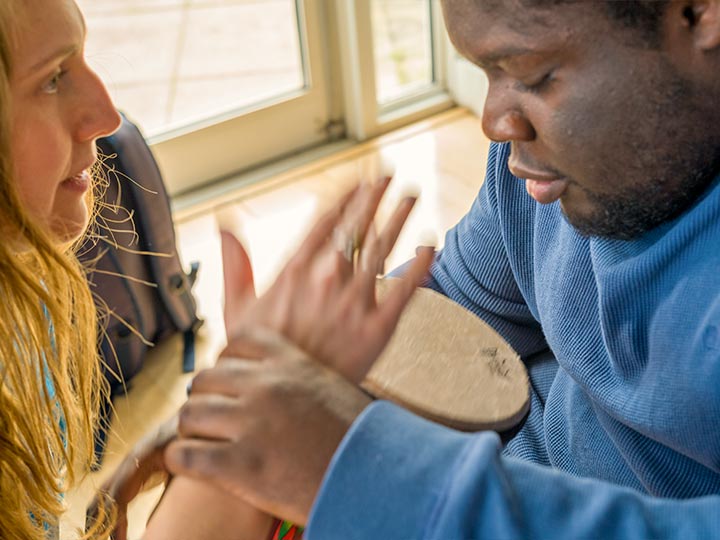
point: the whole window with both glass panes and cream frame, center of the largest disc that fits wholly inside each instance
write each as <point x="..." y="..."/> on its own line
<point x="220" y="86"/>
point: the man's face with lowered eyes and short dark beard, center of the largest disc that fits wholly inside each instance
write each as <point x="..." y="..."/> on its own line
<point x="607" y="126"/>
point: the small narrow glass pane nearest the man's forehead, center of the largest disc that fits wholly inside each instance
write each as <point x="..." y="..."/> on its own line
<point x="402" y="36"/>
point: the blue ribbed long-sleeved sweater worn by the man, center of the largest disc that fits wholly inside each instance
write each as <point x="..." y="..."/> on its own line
<point x="625" y="411"/>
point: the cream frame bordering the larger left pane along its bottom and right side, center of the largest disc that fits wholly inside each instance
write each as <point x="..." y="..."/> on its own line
<point x="194" y="155"/>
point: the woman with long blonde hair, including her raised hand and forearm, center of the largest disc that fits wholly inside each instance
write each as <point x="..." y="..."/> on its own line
<point x="52" y="109"/>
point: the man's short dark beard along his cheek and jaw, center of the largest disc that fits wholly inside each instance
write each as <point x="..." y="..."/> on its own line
<point x="662" y="175"/>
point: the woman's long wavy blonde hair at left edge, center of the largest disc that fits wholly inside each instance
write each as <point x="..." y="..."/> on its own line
<point x="50" y="376"/>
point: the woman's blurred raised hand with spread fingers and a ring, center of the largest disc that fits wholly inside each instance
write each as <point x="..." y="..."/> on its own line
<point x="324" y="299"/>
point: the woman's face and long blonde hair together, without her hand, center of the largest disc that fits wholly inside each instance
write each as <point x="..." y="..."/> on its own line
<point x="53" y="108"/>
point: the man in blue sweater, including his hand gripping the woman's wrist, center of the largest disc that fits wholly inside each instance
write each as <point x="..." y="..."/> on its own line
<point x="595" y="236"/>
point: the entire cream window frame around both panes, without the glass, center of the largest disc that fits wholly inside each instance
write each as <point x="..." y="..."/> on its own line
<point x="338" y="58"/>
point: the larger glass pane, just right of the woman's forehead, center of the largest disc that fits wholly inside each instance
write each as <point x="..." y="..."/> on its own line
<point x="169" y="63"/>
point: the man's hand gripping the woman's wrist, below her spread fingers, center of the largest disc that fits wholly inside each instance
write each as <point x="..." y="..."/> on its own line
<point x="265" y="430"/>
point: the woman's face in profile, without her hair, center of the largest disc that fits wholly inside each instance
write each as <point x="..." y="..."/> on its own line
<point x="59" y="108"/>
